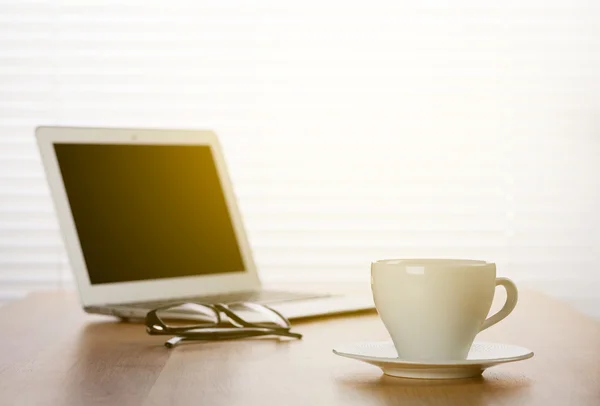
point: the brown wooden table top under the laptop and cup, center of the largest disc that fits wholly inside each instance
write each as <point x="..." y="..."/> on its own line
<point x="51" y="353"/>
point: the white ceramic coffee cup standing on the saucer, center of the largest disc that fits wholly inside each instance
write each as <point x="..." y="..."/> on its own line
<point x="434" y="308"/>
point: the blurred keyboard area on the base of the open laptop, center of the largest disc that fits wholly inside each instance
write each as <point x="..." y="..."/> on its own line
<point x="261" y="296"/>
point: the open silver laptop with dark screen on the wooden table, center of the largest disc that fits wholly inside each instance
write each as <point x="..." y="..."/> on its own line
<point x="149" y="217"/>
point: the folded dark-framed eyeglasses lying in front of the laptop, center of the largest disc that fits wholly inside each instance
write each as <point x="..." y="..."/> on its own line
<point x="206" y="322"/>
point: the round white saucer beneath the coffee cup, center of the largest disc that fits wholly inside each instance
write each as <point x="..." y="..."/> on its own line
<point x="481" y="356"/>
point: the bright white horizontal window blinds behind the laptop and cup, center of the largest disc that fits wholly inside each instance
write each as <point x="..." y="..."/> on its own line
<point x="353" y="130"/>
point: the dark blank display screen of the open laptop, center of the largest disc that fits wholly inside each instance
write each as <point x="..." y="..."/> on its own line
<point x="147" y="212"/>
